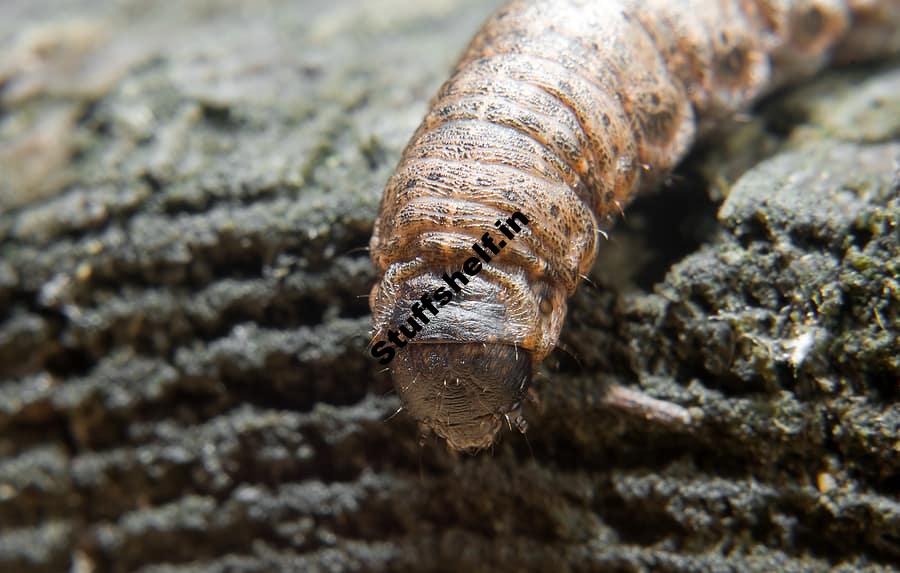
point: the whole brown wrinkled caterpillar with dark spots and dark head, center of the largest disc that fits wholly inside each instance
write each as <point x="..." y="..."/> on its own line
<point x="562" y="110"/>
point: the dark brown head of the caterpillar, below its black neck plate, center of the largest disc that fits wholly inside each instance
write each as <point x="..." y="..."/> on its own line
<point x="463" y="392"/>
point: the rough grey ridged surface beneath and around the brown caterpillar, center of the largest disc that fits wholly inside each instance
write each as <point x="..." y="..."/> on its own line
<point x="186" y="190"/>
